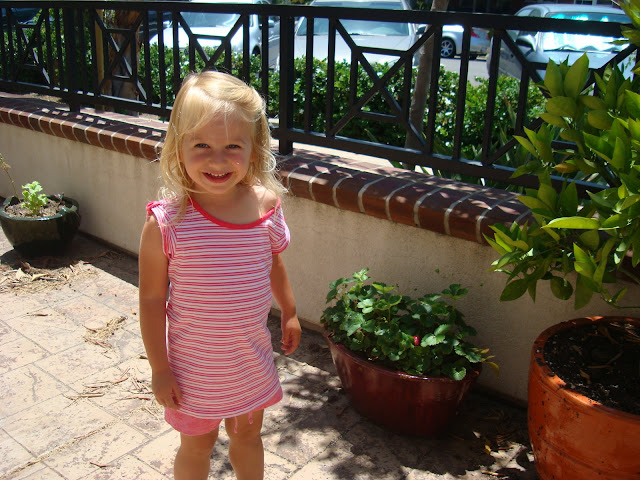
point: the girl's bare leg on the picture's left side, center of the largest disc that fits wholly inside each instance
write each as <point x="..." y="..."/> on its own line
<point x="194" y="456"/>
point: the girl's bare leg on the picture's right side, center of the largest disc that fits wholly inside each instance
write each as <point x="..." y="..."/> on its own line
<point x="246" y="452"/>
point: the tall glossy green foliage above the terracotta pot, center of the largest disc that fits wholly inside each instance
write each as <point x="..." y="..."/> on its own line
<point x="597" y="238"/>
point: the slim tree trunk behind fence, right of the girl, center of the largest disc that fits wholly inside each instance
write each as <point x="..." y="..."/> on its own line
<point x="423" y="80"/>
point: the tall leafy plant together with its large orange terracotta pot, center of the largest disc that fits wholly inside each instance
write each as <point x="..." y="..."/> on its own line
<point x="584" y="381"/>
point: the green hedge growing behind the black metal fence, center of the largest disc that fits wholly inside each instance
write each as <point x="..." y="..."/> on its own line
<point x="381" y="132"/>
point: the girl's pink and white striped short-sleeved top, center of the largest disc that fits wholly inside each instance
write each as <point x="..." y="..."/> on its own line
<point x="218" y="343"/>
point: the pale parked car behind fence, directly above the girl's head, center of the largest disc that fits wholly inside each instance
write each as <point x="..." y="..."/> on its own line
<point x="208" y="29"/>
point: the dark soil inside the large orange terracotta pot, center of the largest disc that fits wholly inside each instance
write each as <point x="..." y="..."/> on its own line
<point x="602" y="362"/>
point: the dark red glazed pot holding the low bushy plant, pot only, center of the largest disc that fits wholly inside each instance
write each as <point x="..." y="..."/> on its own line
<point x="402" y="403"/>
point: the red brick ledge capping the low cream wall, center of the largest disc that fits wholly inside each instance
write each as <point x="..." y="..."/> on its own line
<point x="444" y="206"/>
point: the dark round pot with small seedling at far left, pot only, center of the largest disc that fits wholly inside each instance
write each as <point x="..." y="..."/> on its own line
<point x="36" y="236"/>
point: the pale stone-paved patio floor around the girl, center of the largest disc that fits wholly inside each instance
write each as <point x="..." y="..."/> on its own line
<point x="75" y="401"/>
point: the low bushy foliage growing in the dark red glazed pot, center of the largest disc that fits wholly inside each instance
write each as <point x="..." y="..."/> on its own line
<point x="422" y="336"/>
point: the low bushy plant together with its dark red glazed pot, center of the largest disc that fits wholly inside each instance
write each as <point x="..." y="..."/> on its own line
<point x="399" y="357"/>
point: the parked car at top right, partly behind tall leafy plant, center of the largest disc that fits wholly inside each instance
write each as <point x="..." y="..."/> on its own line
<point x="544" y="46"/>
